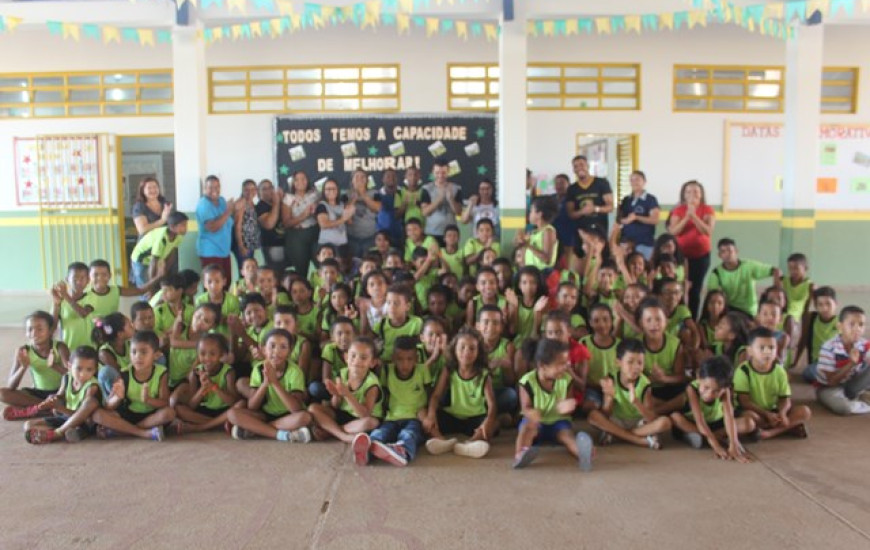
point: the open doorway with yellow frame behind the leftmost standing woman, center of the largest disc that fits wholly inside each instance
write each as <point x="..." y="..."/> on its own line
<point x="139" y="157"/>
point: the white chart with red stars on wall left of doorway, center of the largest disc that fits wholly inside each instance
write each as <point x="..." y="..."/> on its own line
<point x="57" y="170"/>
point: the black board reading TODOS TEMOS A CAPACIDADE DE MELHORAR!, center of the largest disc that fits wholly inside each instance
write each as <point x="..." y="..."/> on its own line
<point x="335" y="146"/>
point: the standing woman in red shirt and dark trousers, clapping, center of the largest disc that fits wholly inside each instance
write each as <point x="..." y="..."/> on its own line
<point x="692" y="224"/>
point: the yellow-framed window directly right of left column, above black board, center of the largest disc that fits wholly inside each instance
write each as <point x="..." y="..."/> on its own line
<point x="304" y="89"/>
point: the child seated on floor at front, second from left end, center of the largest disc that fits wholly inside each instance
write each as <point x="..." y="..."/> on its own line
<point x="72" y="406"/>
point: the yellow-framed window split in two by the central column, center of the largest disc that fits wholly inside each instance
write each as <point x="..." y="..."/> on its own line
<point x="549" y="86"/>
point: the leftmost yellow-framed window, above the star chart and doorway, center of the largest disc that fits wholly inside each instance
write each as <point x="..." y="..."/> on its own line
<point x="86" y="94"/>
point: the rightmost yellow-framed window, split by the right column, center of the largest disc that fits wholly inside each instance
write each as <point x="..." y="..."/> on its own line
<point x="726" y="88"/>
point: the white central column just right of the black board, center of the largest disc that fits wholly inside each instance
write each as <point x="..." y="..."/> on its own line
<point x="512" y="119"/>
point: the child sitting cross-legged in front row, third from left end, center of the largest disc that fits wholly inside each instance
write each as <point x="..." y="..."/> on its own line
<point x="138" y="404"/>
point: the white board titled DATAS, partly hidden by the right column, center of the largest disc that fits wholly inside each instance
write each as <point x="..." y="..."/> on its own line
<point x="754" y="166"/>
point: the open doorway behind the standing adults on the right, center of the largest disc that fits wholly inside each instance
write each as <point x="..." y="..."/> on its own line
<point x="611" y="156"/>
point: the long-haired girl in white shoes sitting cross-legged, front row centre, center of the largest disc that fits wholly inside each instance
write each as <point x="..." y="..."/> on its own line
<point x="463" y="400"/>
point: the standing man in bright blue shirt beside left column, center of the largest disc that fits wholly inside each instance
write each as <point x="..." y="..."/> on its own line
<point x="214" y="217"/>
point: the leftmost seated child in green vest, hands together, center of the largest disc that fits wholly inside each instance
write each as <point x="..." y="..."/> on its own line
<point x="44" y="358"/>
